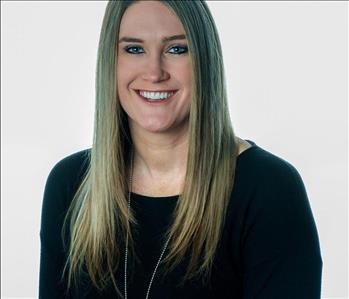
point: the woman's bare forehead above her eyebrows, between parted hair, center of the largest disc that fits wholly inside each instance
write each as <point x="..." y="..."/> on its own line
<point x="150" y="19"/>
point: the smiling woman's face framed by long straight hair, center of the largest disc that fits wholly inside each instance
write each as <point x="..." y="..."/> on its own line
<point x="153" y="65"/>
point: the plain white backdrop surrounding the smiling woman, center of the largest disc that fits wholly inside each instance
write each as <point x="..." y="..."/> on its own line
<point x="286" y="65"/>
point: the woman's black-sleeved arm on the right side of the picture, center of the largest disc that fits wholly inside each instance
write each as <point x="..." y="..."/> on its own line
<point x="281" y="252"/>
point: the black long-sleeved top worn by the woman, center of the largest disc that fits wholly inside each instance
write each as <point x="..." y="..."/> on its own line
<point x="269" y="249"/>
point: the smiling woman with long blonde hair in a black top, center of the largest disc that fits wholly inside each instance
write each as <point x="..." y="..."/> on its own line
<point x="168" y="202"/>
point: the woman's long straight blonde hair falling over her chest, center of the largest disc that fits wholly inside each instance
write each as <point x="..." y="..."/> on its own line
<point x="98" y="214"/>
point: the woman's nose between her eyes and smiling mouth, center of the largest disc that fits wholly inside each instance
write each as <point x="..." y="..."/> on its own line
<point x="154" y="69"/>
